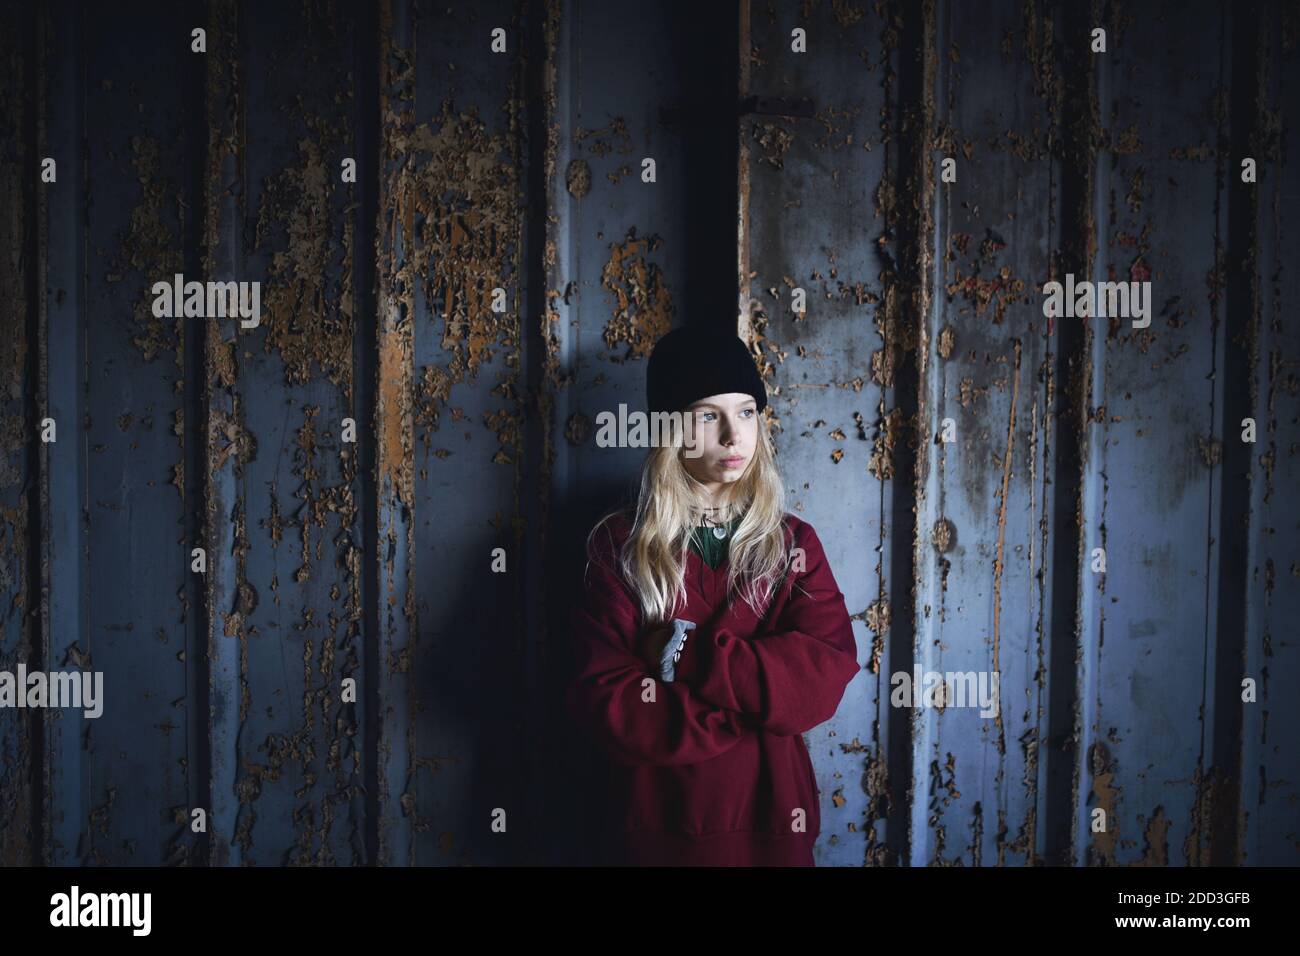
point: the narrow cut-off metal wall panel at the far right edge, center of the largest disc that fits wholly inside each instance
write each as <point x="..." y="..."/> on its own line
<point x="1269" y="86"/>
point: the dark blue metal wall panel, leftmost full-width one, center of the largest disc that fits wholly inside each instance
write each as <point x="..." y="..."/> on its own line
<point x="119" y="568"/>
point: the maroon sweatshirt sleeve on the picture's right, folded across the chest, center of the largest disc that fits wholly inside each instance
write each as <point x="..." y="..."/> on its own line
<point x="792" y="678"/>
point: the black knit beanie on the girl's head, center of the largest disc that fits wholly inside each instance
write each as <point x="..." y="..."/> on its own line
<point x="691" y="364"/>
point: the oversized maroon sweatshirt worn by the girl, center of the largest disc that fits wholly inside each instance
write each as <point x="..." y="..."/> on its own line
<point x="712" y="768"/>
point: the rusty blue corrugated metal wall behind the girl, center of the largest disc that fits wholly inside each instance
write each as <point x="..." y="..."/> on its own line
<point x="522" y="171"/>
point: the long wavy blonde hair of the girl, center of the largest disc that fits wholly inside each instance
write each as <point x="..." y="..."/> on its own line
<point x="669" y="509"/>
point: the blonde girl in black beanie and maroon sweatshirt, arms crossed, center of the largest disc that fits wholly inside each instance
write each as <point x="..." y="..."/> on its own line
<point x="710" y="634"/>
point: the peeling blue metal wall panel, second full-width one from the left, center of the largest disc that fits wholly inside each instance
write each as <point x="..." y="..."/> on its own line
<point x="294" y="604"/>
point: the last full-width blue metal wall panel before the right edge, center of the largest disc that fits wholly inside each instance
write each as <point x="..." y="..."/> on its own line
<point x="1152" y="499"/>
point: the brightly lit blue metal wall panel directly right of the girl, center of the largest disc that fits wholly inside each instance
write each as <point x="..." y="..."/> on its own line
<point x="813" y="217"/>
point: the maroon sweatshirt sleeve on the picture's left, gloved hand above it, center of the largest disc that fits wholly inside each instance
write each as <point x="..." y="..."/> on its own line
<point x="606" y="697"/>
